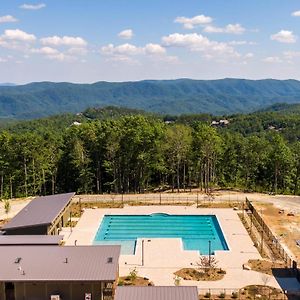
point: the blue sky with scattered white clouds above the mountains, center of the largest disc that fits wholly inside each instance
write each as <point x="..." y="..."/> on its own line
<point x="123" y="40"/>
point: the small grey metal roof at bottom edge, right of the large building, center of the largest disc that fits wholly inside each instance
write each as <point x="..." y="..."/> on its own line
<point x="156" y="293"/>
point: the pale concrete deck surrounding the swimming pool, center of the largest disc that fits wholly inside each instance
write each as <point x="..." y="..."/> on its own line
<point x="162" y="257"/>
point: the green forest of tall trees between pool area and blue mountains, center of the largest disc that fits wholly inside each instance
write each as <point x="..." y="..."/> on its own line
<point x="117" y="150"/>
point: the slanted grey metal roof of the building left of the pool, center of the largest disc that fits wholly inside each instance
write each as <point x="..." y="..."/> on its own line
<point x="40" y="211"/>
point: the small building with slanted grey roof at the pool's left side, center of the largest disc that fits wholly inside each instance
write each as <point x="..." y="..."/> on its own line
<point x="43" y="215"/>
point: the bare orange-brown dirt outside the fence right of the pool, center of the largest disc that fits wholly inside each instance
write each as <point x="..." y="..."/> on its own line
<point x="285" y="223"/>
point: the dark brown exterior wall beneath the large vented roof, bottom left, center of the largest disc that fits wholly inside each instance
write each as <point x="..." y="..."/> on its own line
<point x="67" y="290"/>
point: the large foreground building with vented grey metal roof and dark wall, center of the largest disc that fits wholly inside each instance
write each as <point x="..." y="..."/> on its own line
<point x="69" y="272"/>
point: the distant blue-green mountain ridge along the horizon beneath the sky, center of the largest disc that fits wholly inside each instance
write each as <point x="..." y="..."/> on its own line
<point x="181" y="96"/>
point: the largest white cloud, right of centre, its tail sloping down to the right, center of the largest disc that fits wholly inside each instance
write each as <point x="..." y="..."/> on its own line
<point x="198" y="42"/>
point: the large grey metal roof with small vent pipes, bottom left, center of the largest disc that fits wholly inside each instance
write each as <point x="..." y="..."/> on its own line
<point x="61" y="263"/>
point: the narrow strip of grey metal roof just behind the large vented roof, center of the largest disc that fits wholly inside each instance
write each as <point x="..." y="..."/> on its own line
<point x="23" y="240"/>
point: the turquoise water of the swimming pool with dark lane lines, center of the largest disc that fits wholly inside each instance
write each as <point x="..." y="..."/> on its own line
<point x="195" y="231"/>
